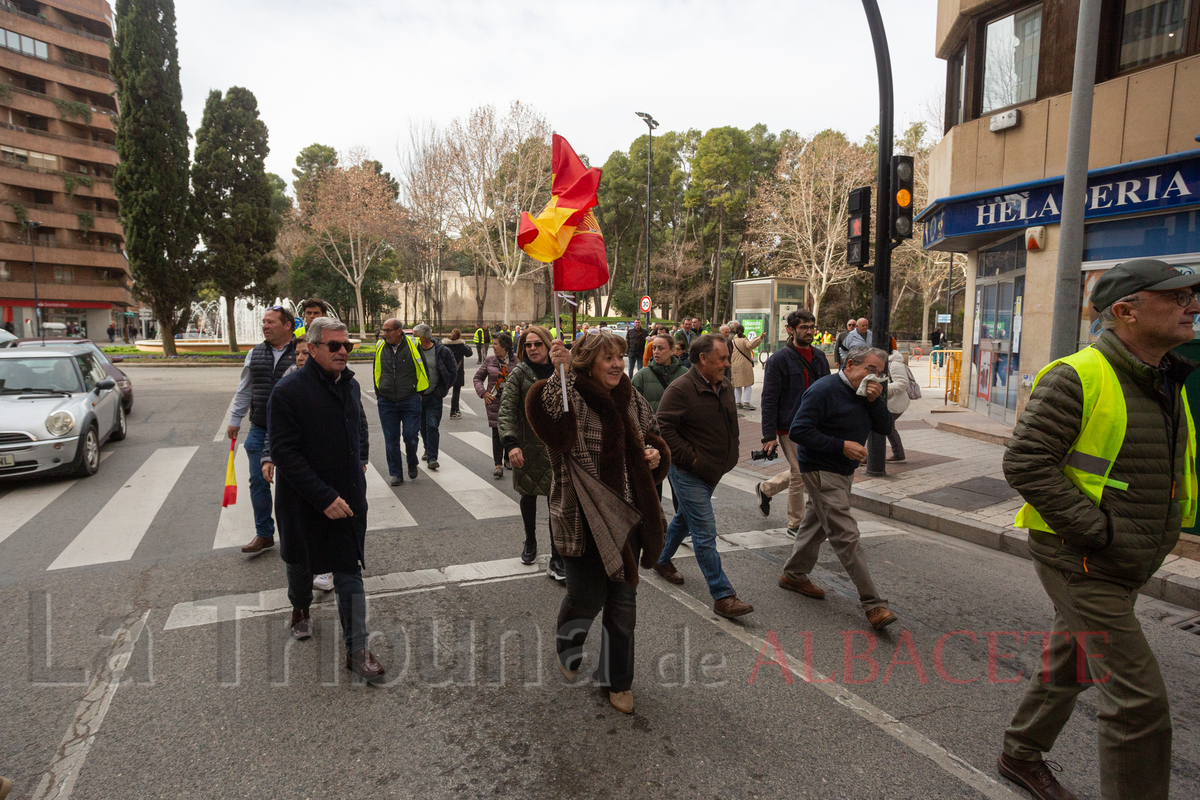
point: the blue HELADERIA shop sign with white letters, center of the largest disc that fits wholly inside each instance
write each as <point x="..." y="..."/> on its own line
<point x="1165" y="183"/>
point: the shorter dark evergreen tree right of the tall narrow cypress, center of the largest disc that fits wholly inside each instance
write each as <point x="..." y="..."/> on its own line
<point x="233" y="200"/>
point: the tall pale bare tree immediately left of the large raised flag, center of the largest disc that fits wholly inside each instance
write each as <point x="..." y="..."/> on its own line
<point x="497" y="167"/>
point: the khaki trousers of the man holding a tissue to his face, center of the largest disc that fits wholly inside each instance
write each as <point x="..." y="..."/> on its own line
<point x="827" y="516"/>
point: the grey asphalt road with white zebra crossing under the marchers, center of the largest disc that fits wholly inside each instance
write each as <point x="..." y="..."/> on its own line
<point x="129" y="673"/>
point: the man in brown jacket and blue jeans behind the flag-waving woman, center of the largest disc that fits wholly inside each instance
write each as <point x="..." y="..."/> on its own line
<point x="700" y="424"/>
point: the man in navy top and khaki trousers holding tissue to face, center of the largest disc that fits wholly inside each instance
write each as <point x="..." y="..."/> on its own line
<point x="830" y="431"/>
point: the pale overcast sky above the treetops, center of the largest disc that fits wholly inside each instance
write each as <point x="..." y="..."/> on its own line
<point x="359" y="73"/>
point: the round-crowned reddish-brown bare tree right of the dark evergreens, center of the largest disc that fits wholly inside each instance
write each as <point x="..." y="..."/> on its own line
<point x="353" y="220"/>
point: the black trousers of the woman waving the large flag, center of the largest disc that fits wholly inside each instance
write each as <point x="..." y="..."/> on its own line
<point x="589" y="591"/>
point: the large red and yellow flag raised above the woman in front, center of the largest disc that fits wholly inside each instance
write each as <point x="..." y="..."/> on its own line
<point x="567" y="232"/>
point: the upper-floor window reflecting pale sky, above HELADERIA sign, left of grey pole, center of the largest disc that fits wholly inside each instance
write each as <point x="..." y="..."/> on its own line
<point x="1011" y="59"/>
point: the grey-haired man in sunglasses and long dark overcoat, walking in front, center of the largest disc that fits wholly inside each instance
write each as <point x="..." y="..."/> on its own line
<point x="319" y="436"/>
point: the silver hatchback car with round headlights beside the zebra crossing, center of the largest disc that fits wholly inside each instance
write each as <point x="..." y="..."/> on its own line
<point x="58" y="408"/>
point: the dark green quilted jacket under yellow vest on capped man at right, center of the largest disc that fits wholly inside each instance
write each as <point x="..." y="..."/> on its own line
<point x="1125" y="539"/>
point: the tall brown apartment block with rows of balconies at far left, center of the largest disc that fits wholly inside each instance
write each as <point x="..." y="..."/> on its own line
<point x="58" y="210"/>
